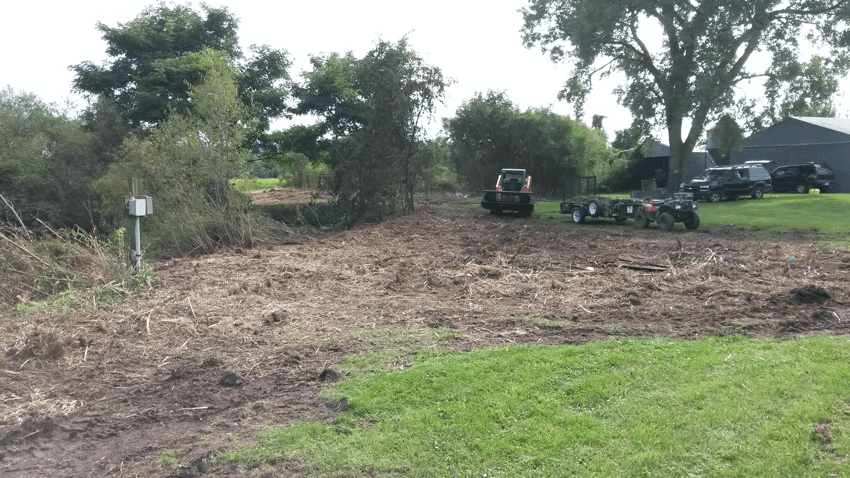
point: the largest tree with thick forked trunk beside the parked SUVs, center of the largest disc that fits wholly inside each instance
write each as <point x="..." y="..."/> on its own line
<point x="704" y="49"/>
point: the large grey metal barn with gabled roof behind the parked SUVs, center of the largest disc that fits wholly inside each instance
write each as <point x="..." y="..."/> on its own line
<point x="803" y="140"/>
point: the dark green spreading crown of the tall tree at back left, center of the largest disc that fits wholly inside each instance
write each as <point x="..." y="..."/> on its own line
<point x="155" y="60"/>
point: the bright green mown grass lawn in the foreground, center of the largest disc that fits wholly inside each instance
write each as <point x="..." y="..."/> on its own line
<point x="710" y="407"/>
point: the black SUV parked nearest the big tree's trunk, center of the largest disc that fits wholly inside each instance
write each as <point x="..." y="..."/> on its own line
<point x="730" y="182"/>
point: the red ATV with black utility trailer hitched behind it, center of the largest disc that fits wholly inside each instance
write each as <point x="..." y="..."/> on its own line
<point x="643" y="206"/>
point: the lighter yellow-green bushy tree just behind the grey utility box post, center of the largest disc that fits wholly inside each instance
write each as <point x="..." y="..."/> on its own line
<point x="186" y="163"/>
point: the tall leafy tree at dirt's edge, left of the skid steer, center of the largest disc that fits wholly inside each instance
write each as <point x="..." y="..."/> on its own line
<point x="374" y="109"/>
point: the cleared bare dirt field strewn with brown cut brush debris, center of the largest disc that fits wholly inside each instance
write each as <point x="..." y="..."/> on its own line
<point x="224" y="343"/>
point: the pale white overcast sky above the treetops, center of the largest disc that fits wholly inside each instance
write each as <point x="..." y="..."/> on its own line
<point x="475" y="42"/>
